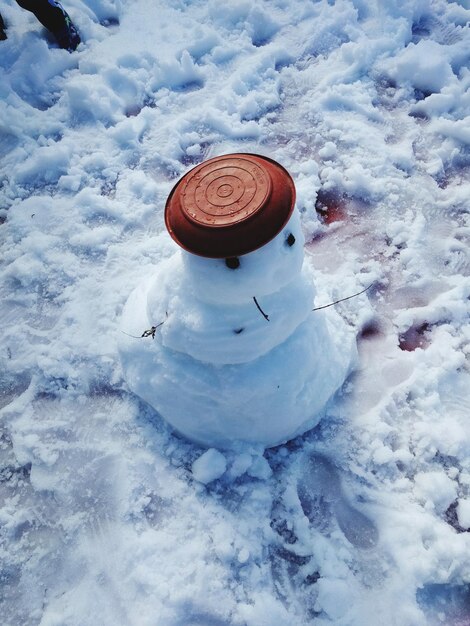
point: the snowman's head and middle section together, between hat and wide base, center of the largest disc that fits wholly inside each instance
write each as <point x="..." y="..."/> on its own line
<point x="221" y="315"/>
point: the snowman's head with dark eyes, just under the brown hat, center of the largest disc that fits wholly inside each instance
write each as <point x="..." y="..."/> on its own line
<point x="236" y="280"/>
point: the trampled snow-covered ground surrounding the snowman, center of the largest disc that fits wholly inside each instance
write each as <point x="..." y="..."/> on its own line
<point x="107" y="518"/>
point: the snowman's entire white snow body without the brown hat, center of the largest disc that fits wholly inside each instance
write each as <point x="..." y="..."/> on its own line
<point x="217" y="370"/>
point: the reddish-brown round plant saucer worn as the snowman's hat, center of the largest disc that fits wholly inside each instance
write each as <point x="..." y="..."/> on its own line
<point x="230" y="205"/>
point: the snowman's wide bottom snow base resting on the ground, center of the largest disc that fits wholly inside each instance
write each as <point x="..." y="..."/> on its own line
<point x="266" y="401"/>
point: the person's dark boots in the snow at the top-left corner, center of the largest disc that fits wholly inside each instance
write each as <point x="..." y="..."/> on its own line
<point x="55" y="18"/>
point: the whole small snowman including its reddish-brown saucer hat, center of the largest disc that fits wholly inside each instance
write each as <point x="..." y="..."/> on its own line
<point x="236" y="354"/>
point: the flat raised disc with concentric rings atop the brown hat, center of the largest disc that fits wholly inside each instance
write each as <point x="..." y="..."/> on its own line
<point x="225" y="193"/>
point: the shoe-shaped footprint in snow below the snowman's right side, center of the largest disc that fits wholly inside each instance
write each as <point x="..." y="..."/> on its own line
<point x="321" y="496"/>
